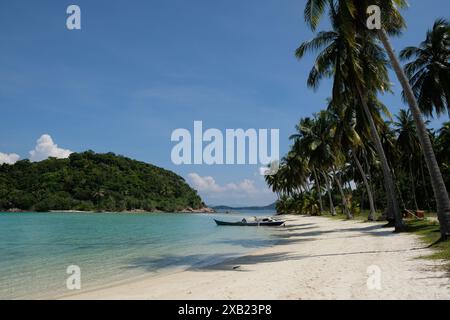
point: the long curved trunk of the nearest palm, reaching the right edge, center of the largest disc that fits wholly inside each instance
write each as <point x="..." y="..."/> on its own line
<point x="437" y="182"/>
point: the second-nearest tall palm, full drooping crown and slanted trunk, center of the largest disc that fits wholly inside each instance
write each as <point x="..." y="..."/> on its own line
<point x="354" y="63"/>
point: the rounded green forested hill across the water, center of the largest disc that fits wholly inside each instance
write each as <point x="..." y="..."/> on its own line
<point x="90" y="181"/>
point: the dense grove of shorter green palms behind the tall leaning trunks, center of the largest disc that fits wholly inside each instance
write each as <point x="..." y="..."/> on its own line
<point x="305" y="192"/>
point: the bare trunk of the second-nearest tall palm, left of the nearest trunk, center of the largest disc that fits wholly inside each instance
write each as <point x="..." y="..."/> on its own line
<point x="387" y="174"/>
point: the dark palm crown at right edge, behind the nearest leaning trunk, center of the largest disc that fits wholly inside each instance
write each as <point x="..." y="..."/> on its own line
<point x="429" y="72"/>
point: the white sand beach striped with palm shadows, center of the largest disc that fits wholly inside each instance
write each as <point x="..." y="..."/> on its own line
<point x="316" y="258"/>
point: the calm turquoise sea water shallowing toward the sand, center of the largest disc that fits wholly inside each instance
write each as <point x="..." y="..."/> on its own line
<point x="37" y="248"/>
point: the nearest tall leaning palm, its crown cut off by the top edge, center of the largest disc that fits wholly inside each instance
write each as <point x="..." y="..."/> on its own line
<point x="354" y="18"/>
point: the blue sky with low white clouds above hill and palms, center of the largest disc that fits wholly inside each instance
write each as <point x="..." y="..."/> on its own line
<point x="140" y="69"/>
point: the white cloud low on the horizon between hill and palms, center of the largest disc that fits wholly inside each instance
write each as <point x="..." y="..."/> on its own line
<point x="243" y="193"/>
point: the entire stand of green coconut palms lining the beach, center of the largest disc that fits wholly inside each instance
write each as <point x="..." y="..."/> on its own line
<point x="353" y="150"/>
